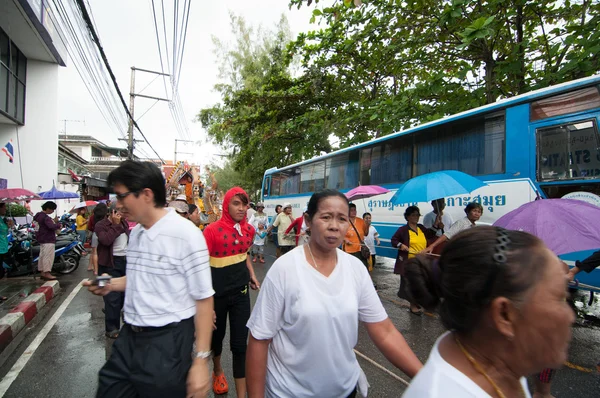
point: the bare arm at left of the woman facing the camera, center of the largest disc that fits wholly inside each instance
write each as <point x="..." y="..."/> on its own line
<point x="256" y="366"/>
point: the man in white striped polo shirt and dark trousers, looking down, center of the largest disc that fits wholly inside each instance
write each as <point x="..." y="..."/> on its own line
<point x="168" y="296"/>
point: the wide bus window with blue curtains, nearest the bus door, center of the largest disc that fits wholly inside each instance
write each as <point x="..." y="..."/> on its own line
<point x="474" y="147"/>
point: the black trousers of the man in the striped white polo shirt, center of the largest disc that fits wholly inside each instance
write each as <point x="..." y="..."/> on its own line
<point x="150" y="363"/>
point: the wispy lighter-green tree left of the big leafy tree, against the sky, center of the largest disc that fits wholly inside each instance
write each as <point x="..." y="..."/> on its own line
<point x="266" y="116"/>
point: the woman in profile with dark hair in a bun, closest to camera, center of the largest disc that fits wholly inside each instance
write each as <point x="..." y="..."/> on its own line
<point x="504" y="303"/>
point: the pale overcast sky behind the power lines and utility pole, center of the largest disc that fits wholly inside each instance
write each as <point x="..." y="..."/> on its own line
<point x="126" y="30"/>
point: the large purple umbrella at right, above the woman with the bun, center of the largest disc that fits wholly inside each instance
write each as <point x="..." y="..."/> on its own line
<point x="565" y="225"/>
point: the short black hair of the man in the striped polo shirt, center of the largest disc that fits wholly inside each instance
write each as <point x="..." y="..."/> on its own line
<point x="137" y="176"/>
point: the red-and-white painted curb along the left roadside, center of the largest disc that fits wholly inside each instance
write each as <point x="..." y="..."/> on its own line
<point x="16" y="320"/>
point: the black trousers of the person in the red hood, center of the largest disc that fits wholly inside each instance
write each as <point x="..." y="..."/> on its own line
<point x="237" y="304"/>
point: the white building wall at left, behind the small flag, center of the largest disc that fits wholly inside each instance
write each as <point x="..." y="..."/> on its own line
<point x="35" y="143"/>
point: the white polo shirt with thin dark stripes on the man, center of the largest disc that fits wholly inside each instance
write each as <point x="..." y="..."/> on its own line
<point x="167" y="271"/>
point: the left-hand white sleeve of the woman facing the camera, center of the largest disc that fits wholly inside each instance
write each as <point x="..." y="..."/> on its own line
<point x="267" y="315"/>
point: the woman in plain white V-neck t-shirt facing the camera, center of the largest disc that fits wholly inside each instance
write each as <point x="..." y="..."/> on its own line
<point x="304" y="325"/>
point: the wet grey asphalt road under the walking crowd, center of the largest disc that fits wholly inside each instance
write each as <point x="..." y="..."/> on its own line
<point x="67" y="361"/>
